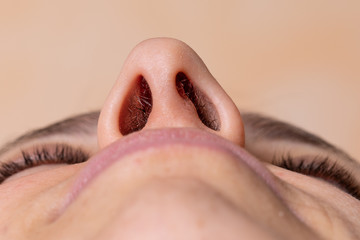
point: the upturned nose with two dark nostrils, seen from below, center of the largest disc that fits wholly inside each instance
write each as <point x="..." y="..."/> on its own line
<point x="165" y="84"/>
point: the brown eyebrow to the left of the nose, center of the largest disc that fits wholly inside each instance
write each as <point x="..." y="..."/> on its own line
<point x="76" y="125"/>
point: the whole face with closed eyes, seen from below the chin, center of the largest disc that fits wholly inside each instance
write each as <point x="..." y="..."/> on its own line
<point x="171" y="157"/>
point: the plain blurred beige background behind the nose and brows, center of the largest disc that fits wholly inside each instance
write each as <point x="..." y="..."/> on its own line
<point x="296" y="60"/>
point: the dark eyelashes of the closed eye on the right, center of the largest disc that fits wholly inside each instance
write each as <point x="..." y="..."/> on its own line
<point x="322" y="168"/>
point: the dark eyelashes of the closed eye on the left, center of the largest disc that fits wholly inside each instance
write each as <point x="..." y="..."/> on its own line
<point x="61" y="153"/>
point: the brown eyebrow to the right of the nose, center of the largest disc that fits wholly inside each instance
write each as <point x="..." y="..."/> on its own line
<point x="261" y="126"/>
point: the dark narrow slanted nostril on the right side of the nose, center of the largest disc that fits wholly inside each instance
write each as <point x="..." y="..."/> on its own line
<point x="203" y="105"/>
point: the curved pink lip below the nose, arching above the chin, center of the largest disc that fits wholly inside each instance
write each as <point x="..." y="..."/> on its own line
<point x="156" y="138"/>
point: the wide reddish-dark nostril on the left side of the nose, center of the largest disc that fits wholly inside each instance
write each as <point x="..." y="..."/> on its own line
<point x="136" y="110"/>
